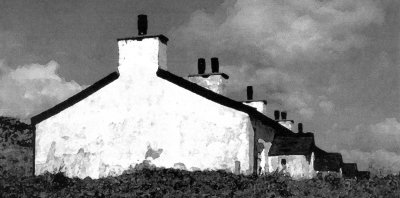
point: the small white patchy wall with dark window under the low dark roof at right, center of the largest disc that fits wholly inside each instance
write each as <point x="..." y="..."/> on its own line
<point x="297" y="166"/>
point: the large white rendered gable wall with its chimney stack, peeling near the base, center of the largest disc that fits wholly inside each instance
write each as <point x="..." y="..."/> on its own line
<point x="141" y="116"/>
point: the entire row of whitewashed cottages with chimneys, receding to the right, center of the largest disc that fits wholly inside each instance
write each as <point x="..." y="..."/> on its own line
<point x="143" y="112"/>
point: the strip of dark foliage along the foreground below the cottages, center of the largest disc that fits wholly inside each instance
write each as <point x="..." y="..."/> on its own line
<point x="178" y="183"/>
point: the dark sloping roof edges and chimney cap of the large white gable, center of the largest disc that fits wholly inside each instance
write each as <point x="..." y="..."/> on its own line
<point x="179" y="81"/>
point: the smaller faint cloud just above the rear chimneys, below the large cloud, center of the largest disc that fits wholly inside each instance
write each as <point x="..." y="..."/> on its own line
<point x="278" y="86"/>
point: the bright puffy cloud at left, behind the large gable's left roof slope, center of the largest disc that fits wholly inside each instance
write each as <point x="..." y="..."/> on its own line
<point x="30" y="89"/>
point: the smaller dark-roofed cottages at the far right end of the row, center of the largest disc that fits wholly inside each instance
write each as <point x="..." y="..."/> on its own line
<point x="297" y="155"/>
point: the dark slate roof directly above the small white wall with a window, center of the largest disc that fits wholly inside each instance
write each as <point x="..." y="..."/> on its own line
<point x="291" y="145"/>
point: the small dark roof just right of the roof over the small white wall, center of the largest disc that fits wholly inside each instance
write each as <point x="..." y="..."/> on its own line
<point x="328" y="162"/>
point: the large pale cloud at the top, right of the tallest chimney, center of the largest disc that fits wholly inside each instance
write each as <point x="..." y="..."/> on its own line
<point x="284" y="31"/>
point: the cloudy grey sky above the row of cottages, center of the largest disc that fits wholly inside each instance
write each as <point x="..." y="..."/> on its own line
<point x="331" y="64"/>
